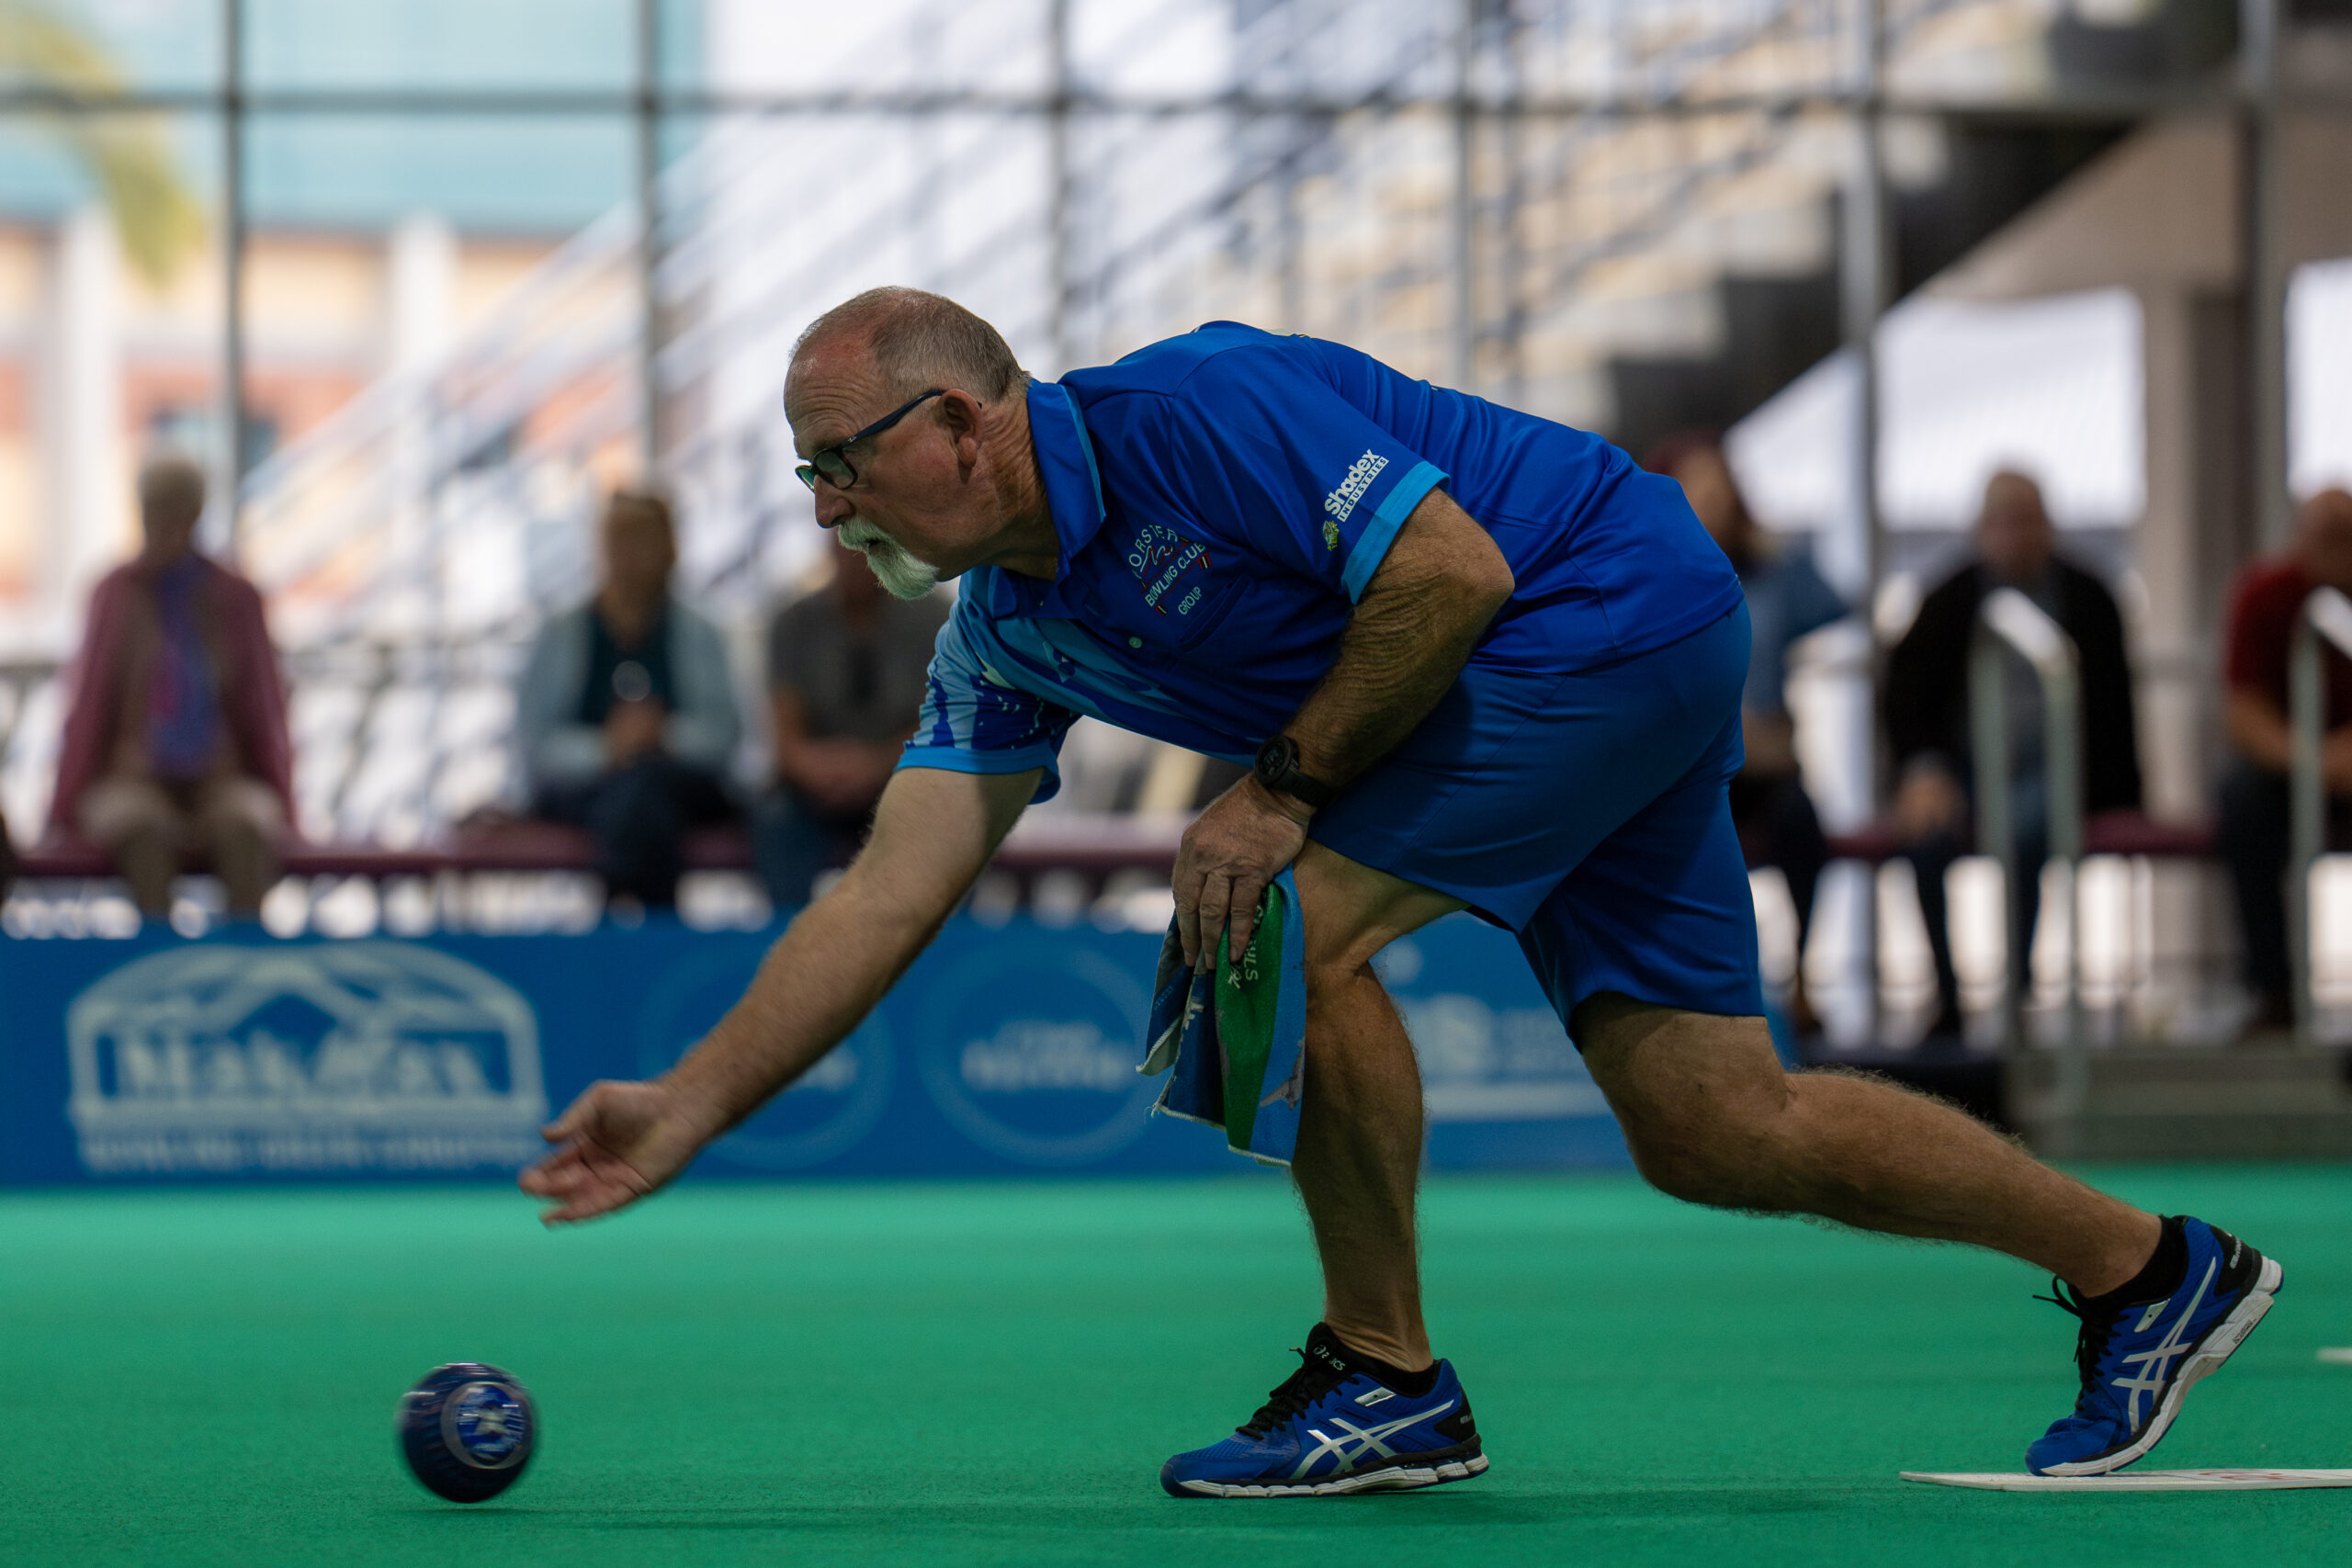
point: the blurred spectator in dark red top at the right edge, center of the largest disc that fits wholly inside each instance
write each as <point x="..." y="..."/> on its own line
<point x="2254" y="805"/>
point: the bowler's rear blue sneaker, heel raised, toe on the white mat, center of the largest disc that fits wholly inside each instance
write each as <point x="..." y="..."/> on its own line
<point x="2141" y="1360"/>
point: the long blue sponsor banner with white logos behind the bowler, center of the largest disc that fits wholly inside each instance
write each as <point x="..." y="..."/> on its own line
<point x="1003" y="1050"/>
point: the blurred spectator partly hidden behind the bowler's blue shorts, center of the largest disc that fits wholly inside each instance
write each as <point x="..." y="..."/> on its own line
<point x="1786" y="601"/>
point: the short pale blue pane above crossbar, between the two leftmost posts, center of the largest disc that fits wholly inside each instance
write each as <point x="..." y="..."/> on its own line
<point x="441" y="43"/>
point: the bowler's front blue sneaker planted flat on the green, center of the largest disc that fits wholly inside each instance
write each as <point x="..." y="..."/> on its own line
<point x="1335" y="1428"/>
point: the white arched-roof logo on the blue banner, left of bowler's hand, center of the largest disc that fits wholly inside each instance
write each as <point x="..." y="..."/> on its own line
<point x="302" y="1059"/>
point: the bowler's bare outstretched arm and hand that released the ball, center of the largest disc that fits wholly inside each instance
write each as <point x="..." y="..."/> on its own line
<point x="933" y="836"/>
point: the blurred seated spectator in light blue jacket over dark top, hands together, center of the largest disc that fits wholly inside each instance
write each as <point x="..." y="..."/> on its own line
<point x="629" y="716"/>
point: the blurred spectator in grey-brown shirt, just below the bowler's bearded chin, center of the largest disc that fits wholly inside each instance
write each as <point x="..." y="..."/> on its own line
<point x="846" y="671"/>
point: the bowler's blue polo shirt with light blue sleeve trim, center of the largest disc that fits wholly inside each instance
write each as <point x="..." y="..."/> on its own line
<point x="1227" y="497"/>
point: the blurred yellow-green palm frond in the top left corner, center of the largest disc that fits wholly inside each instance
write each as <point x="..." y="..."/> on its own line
<point x="128" y="156"/>
